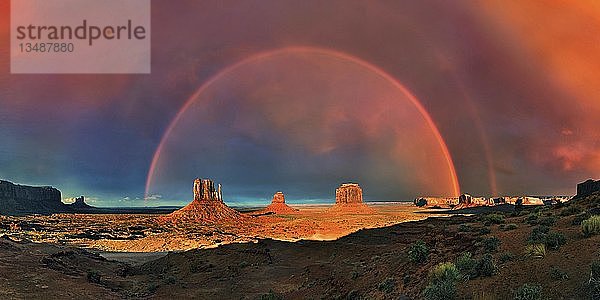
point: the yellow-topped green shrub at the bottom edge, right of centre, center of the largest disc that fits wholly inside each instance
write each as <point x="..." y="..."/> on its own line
<point x="442" y="282"/>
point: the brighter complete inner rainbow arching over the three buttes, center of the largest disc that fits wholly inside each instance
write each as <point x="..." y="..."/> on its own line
<point x="322" y="51"/>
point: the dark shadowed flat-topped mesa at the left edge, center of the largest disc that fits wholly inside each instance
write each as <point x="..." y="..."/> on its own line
<point x="21" y="199"/>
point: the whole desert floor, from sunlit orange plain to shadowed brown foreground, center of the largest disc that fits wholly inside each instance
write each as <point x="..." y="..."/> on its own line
<point x="371" y="263"/>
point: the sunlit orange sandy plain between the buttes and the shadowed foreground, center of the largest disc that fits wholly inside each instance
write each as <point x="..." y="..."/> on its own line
<point x="146" y="233"/>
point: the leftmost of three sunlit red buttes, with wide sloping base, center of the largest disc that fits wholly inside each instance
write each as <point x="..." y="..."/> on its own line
<point x="207" y="206"/>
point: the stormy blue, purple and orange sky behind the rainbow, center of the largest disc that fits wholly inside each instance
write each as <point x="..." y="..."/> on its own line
<point x="406" y="98"/>
